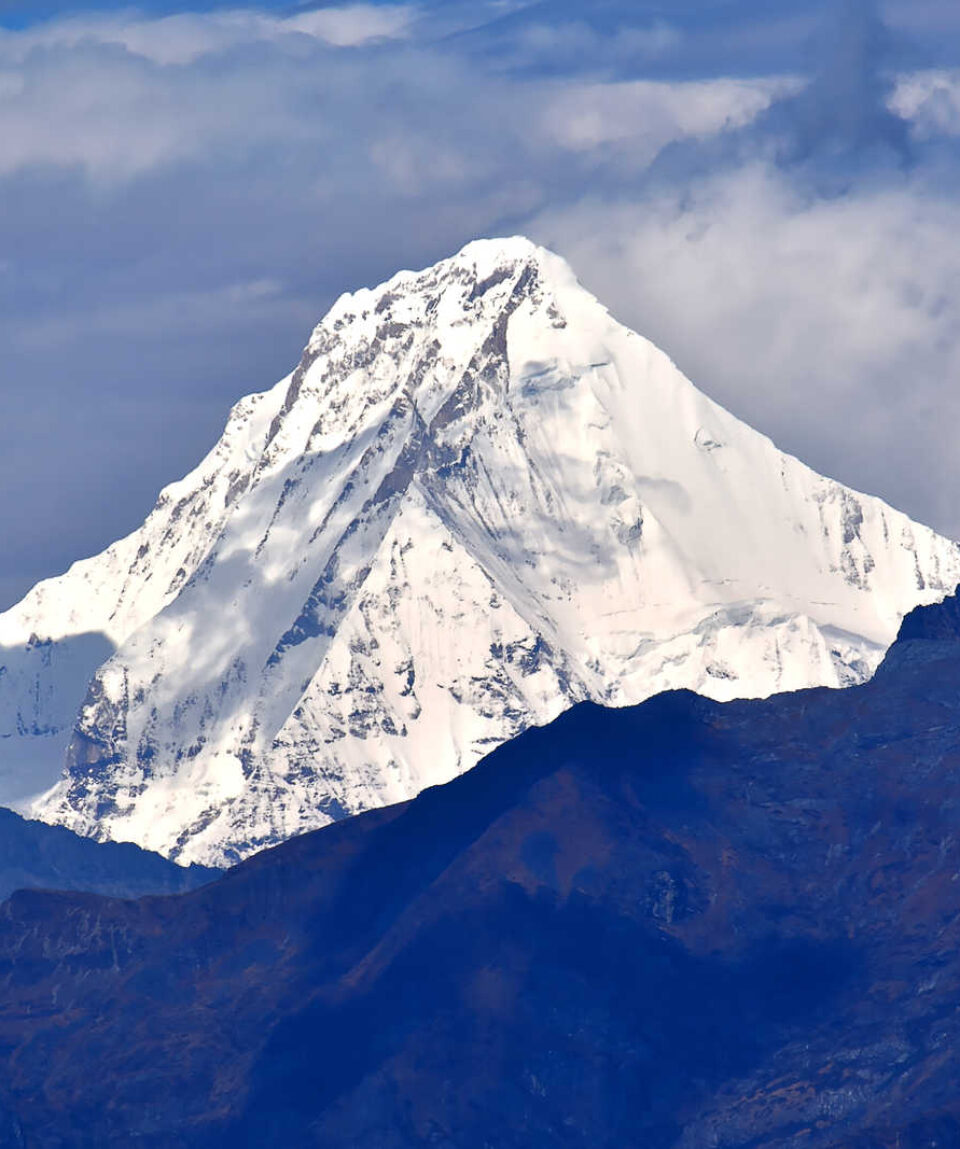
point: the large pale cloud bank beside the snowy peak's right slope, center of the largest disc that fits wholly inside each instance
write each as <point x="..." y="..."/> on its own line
<point x="833" y="325"/>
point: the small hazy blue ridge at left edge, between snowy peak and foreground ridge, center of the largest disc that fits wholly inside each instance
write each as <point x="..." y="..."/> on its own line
<point x="36" y="857"/>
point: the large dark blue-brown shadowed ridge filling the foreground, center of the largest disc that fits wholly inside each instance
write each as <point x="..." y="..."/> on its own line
<point x="679" y="926"/>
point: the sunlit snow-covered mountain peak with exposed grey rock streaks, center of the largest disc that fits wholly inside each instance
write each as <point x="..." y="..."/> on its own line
<point x="477" y="502"/>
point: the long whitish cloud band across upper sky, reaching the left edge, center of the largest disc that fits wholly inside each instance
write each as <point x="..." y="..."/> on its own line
<point x="122" y="99"/>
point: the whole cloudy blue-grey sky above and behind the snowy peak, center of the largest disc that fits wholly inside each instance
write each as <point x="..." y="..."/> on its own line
<point x="768" y="191"/>
